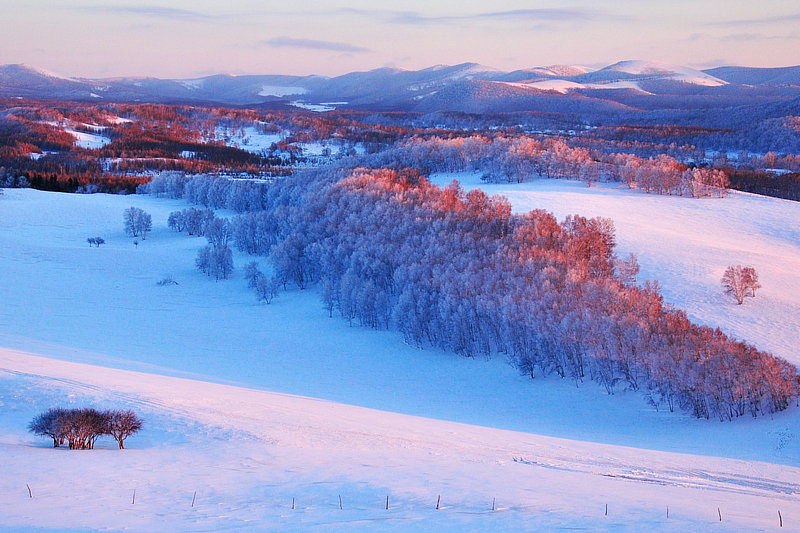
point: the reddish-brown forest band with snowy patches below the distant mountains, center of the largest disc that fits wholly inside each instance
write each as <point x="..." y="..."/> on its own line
<point x="129" y="143"/>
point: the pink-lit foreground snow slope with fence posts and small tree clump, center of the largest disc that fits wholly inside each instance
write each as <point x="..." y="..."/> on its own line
<point x="243" y="455"/>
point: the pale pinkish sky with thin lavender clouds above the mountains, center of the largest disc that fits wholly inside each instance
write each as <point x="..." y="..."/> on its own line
<point x="192" y="38"/>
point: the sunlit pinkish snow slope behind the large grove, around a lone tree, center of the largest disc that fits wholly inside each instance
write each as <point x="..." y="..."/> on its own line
<point x="686" y="244"/>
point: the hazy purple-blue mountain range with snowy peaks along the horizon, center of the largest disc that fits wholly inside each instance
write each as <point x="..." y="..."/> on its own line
<point x="467" y="87"/>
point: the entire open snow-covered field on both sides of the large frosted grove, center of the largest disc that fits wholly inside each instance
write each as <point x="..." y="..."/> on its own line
<point x="252" y="405"/>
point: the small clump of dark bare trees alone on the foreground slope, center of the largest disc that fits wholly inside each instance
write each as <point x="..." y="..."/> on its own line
<point x="80" y="428"/>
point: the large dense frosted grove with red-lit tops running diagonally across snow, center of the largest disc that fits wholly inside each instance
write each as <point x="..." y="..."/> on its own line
<point x="458" y="271"/>
